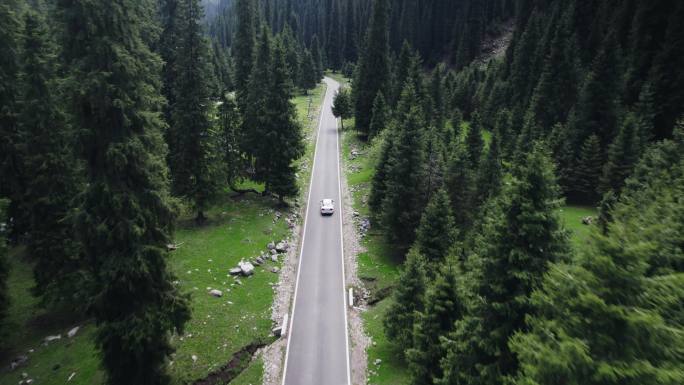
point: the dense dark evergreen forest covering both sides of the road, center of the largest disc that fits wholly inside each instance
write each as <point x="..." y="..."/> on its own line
<point x="146" y="108"/>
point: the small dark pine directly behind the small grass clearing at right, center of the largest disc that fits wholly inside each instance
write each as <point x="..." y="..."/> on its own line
<point x="588" y="170"/>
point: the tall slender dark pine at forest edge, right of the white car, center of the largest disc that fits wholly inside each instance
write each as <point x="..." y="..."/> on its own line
<point x="403" y="203"/>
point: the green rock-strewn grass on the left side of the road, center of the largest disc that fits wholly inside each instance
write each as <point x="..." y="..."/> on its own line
<point x="238" y="228"/>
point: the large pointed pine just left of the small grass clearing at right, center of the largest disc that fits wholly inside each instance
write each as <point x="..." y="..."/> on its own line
<point x="521" y="237"/>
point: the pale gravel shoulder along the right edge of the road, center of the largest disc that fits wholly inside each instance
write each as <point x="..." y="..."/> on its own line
<point x="352" y="248"/>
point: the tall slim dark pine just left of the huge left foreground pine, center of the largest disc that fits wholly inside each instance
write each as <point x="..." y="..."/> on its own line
<point x="48" y="142"/>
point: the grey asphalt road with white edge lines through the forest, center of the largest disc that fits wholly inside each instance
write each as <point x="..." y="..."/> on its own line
<point x="317" y="346"/>
